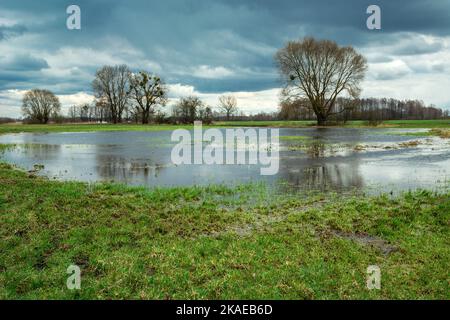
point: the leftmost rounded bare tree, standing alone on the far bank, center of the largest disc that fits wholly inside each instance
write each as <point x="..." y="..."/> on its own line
<point x="40" y="105"/>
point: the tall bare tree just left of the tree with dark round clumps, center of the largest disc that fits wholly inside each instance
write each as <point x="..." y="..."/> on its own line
<point x="113" y="84"/>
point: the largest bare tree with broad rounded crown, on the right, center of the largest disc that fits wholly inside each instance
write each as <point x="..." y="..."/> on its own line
<point x="320" y="70"/>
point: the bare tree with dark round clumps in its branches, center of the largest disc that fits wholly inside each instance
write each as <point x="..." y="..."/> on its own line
<point x="147" y="91"/>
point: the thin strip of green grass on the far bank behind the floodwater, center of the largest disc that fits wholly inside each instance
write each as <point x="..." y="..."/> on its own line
<point x="15" y="128"/>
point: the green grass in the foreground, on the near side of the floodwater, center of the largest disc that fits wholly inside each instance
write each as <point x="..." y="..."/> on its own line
<point x="217" y="242"/>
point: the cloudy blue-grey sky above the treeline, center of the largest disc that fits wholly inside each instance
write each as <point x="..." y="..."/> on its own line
<point x="210" y="47"/>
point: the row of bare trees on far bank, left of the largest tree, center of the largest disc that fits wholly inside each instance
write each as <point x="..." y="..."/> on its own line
<point x="122" y="95"/>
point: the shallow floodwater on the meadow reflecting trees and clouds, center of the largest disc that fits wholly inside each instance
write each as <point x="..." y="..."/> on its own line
<point x="335" y="159"/>
